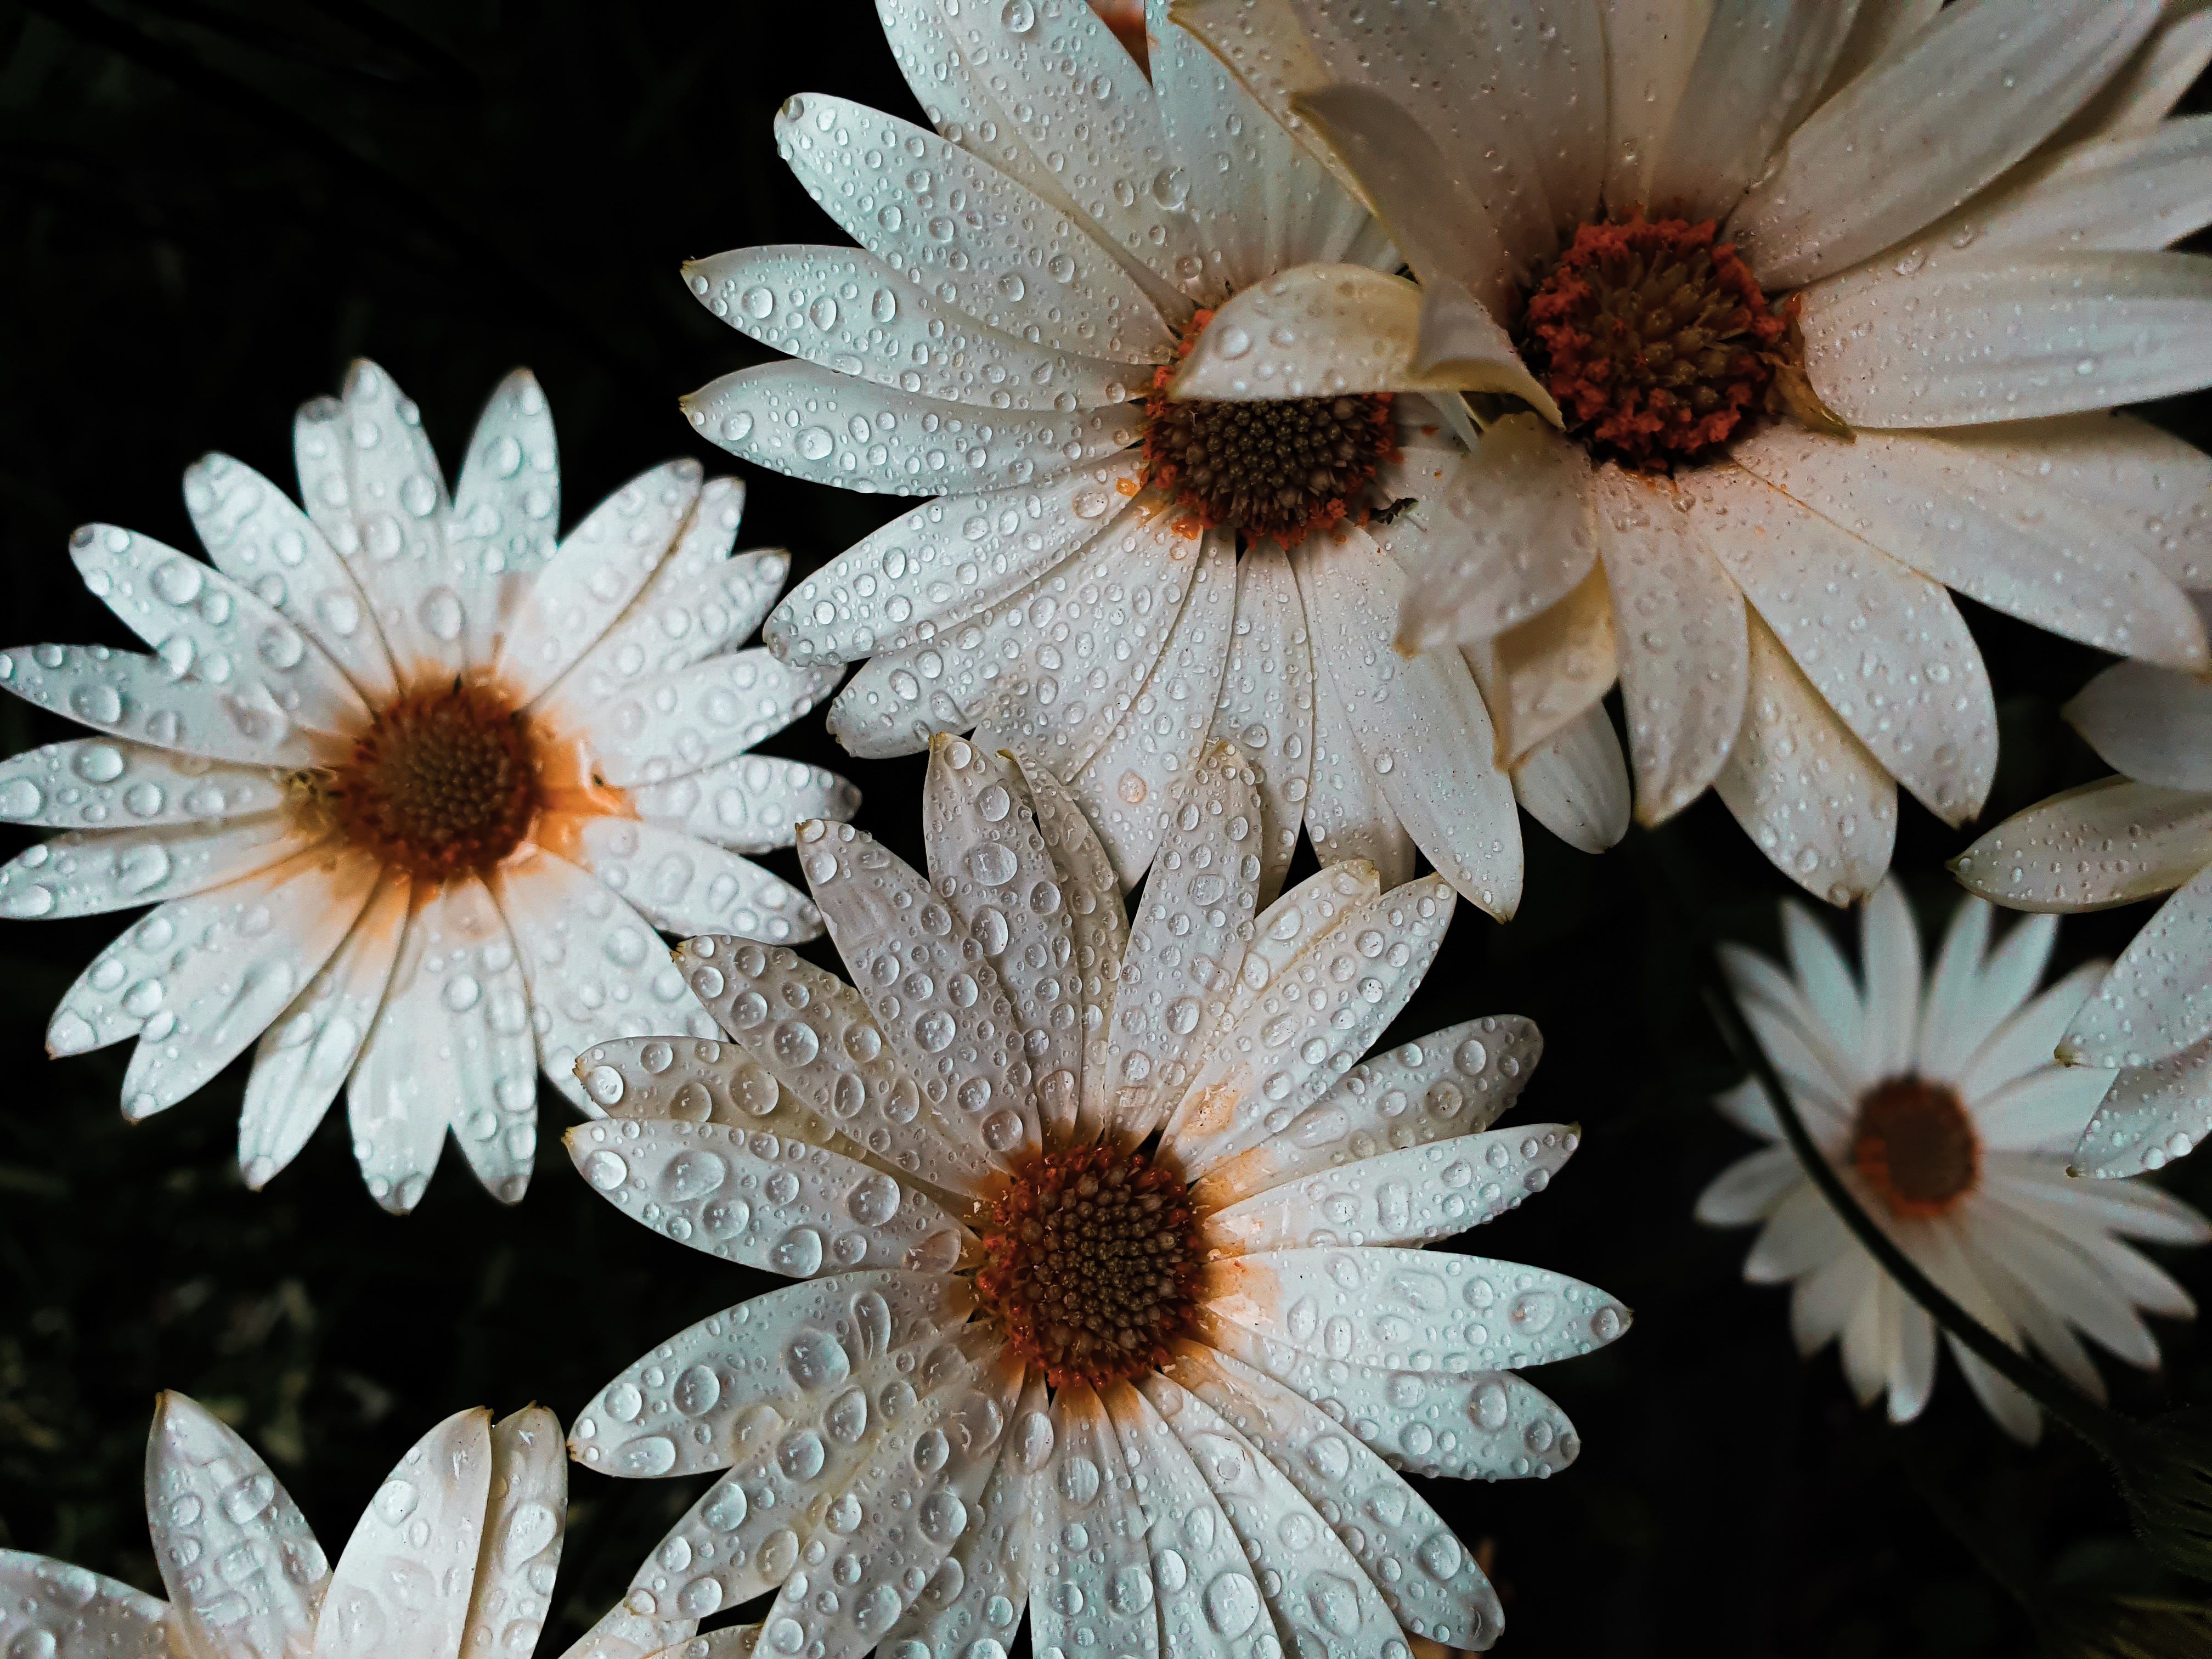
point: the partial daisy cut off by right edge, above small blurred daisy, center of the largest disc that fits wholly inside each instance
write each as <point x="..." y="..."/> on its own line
<point x="2111" y="844"/>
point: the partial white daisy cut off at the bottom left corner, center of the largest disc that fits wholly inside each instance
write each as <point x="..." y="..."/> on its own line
<point x="455" y="1558"/>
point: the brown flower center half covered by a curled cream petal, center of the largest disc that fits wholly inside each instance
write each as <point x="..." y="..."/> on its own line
<point x="1273" y="470"/>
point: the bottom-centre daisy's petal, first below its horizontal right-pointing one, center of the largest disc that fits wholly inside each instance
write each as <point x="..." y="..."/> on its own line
<point x="1507" y="1428"/>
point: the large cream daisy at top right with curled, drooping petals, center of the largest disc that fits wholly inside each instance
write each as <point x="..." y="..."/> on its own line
<point x="1784" y="320"/>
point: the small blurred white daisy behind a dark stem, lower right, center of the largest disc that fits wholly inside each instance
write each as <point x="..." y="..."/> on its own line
<point x="1948" y="1120"/>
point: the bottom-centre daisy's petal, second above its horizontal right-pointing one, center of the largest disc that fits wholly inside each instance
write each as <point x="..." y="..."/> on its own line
<point x="1443" y="1087"/>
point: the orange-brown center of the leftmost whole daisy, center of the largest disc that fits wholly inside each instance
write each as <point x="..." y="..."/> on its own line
<point x="441" y="784"/>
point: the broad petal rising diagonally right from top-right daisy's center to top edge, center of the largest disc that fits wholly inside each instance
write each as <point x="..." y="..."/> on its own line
<point x="1921" y="134"/>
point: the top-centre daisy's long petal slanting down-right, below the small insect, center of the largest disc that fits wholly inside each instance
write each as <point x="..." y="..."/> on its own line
<point x="1419" y="722"/>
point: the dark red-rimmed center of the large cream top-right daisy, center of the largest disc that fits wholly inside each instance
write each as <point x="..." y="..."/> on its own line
<point x="1656" y="342"/>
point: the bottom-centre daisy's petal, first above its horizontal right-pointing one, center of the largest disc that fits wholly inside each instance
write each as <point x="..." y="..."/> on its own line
<point x="1404" y="1198"/>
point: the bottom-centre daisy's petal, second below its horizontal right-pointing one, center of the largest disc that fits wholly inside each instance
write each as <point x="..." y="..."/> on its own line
<point x="1384" y="1521"/>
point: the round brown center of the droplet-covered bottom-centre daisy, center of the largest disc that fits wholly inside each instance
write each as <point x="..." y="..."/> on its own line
<point x="1092" y="1262"/>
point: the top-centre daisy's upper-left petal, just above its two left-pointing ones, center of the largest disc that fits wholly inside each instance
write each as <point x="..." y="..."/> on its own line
<point x="1012" y="260"/>
